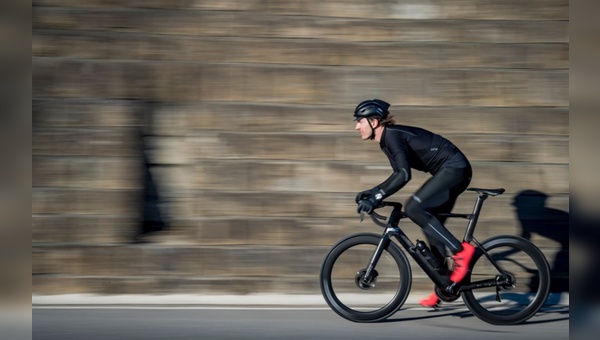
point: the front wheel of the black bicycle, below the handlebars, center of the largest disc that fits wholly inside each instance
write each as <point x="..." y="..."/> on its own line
<point x="339" y="272"/>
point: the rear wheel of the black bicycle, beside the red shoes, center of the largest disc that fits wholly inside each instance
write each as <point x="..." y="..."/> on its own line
<point x="524" y="299"/>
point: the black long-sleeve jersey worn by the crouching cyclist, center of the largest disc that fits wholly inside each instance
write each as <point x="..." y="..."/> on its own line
<point x="409" y="147"/>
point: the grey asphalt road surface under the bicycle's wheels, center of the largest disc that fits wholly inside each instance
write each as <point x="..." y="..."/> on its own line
<point x="181" y="322"/>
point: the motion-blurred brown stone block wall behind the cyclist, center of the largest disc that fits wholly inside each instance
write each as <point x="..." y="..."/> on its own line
<point x="208" y="147"/>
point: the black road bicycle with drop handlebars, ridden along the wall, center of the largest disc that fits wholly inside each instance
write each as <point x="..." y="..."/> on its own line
<point x="366" y="277"/>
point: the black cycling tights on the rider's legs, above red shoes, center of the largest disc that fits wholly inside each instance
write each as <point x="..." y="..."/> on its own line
<point x="438" y="195"/>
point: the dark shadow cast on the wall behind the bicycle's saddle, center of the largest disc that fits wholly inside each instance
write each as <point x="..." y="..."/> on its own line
<point x="536" y="218"/>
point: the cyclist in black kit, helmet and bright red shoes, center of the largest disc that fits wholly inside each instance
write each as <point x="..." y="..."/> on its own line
<point x="407" y="148"/>
